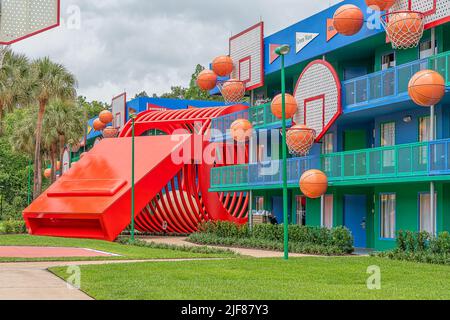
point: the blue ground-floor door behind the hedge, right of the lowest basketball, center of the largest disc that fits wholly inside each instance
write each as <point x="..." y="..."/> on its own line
<point x="355" y="214"/>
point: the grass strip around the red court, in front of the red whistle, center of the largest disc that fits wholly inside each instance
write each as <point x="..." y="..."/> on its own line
<point x="126" y="252"/>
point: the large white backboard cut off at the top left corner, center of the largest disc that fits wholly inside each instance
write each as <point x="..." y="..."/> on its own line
<point x="21" y="19"/>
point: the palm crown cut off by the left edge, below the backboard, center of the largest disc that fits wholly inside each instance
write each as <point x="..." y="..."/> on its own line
<point x="13" y="83"/>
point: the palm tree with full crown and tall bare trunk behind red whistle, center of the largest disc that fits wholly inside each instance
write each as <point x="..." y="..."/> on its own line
<point x="49" y="80"/>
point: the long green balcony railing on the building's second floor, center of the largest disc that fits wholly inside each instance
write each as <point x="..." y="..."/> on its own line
<point x="427" y="161"/>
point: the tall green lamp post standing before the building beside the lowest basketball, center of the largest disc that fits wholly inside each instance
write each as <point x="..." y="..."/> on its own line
<point x="282" y="51"/>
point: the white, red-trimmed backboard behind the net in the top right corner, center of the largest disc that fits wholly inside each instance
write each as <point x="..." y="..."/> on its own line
<point x="436" y="12"/>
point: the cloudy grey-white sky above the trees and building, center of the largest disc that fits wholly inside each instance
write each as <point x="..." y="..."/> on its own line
<point x="150" y="45"/>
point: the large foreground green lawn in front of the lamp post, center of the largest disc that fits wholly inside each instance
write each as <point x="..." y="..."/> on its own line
<point x="242" y="279"/>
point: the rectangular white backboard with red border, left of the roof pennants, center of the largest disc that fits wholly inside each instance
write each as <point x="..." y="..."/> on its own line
<point x="247" y="53"/>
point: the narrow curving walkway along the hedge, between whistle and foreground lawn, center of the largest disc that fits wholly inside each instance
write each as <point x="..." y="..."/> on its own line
<point x="254" y="253"/>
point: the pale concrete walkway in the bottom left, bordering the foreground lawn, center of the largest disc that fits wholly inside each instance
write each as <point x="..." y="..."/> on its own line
<point x="33" y="281"/>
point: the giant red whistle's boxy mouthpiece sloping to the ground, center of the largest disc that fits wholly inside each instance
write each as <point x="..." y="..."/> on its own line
<point x="93" y="199"/>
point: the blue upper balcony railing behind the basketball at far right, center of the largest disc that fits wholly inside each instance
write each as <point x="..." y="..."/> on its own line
<point x="389" y="86"/>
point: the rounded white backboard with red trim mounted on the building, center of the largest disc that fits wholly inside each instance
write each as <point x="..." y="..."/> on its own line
<point x="318" y="94"/>
